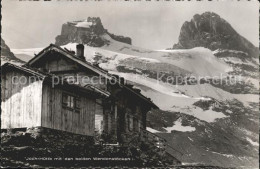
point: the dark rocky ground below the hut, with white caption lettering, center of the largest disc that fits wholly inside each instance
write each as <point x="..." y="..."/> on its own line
<point x="40" y="147"/>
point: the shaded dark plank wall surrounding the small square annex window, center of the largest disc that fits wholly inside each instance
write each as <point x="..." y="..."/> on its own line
<point x="55" y="116"/>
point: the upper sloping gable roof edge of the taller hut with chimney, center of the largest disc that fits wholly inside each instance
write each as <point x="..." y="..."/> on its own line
<point x="88" y="65"/>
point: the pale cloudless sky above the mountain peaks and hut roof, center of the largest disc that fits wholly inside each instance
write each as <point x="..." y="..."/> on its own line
<point x="152" y="25"/>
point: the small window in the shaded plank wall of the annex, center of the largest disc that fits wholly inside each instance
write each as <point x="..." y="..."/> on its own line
<point x="70" y="101"/>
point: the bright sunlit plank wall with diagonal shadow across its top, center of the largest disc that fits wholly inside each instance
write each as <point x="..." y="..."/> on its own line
<point x="21" y="102"/>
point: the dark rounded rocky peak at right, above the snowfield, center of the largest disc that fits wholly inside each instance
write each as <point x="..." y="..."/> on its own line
<point x="213" y="32"/>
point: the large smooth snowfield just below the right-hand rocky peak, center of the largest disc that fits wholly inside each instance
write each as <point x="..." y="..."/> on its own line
<point x="200" y="61"/>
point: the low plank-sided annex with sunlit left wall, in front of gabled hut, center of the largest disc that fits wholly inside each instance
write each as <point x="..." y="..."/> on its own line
<point x="31" y="99"/>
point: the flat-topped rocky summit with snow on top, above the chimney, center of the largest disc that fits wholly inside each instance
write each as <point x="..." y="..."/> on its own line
<point x="89" y="32"/>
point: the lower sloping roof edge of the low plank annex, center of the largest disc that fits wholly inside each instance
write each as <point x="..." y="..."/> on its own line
<point x="48" y="77"/>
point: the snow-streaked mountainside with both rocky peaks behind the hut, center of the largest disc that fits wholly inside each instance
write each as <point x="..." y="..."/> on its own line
<point x="214" y="124"/>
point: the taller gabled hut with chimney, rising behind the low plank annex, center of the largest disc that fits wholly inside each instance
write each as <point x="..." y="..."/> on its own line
<point x="122" y="111"/>
